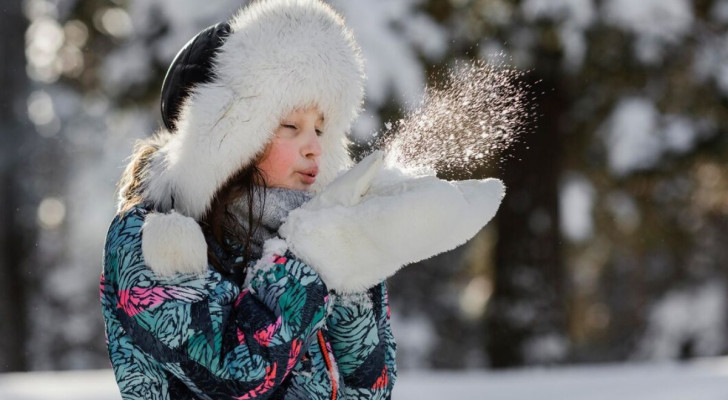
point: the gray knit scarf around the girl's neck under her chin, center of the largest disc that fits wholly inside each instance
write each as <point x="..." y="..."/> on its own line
<point x="275" y="208"/>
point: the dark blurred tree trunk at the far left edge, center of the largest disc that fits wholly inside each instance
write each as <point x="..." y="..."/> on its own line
<point x="14" y="234"/>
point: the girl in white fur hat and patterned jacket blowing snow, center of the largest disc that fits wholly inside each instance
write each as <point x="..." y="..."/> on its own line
<point x="237" y="267"/>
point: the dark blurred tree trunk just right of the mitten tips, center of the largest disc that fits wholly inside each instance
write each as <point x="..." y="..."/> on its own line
<point x="526" y="316"/>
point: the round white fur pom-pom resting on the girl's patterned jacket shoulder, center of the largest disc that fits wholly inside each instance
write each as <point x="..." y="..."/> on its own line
<point x="173" y="243"/>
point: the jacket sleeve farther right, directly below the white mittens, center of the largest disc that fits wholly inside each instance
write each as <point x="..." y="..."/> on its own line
<point x="362" y="342"/>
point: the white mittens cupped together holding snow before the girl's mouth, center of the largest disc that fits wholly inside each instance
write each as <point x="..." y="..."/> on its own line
<point x="371" y="221"/>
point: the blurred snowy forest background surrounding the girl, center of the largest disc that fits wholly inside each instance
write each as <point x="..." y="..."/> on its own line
<point x="609" y="247"/>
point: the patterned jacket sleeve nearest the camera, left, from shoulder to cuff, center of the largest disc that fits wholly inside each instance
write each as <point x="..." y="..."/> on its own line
<point x="217" y="339"/>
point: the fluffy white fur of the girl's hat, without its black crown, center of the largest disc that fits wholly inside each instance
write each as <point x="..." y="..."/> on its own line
<point x="280" y="55"/>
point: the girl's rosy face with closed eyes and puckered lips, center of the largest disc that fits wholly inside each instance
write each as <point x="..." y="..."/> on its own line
<point x="291" y="158"/>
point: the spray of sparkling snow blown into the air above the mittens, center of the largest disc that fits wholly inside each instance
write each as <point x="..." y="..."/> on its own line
<point x="480" y="110"/>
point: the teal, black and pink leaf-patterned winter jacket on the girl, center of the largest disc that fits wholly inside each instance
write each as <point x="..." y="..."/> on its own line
<point x="283" y="336"/>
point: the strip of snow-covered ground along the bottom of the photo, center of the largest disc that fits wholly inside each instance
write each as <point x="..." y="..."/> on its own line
<point x="697" y="380"/>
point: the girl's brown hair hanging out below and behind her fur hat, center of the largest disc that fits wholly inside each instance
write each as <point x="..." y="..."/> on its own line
<point x="218" y="222"/>
